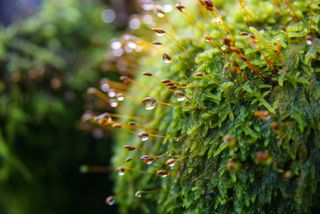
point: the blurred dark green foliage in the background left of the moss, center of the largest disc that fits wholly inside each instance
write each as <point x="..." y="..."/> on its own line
<point x="46" y="63"/>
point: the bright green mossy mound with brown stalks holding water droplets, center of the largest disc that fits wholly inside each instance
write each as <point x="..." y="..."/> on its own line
<point x="222" y="113"/>
